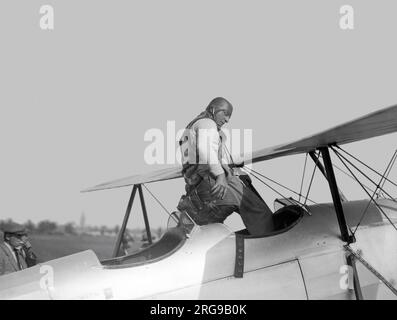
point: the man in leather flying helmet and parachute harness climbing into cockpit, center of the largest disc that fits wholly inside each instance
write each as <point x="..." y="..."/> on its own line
<point x="213" y="191"/>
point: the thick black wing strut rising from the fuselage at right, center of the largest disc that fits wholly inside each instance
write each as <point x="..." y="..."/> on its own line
<point x="335" y="195"/>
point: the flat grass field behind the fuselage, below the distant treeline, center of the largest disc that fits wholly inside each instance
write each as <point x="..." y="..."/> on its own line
<point x="48" y="247"/>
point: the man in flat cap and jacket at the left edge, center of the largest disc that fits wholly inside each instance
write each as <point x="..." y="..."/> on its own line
<point x="16" y="251"/>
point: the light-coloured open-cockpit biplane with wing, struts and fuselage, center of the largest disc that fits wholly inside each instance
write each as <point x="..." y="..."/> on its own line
<point x="339" y="250"/>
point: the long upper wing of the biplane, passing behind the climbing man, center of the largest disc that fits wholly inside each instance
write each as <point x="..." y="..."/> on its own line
<point x="375" y="124"/>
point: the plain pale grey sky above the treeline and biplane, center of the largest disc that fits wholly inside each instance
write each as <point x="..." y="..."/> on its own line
<point x="76" y="101"/>
